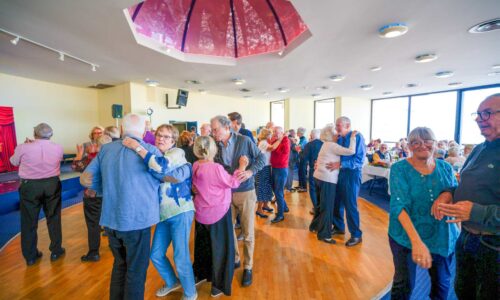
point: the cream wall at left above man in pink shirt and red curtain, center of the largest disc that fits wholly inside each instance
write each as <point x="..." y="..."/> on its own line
<point x="70" y="111"/>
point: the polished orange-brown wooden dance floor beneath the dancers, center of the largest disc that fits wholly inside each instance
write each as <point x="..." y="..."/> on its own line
<point x="289" y="262"/>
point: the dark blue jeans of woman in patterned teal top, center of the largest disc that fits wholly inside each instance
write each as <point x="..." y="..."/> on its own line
<point x="405" y="270"/>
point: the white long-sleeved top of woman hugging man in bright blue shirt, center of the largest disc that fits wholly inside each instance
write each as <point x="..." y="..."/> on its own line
<point x="330" y="152"/>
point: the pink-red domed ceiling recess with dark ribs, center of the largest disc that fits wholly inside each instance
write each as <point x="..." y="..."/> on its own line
<point x="217" y="31"/>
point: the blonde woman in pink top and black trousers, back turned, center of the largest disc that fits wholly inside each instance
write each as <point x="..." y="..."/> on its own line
<point x="214" y="242"/>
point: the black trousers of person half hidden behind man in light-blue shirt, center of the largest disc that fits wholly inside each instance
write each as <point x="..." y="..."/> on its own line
<point x="92" y="212"/>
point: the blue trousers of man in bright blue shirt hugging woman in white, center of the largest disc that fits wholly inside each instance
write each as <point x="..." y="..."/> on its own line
<point x="347" y="196"/>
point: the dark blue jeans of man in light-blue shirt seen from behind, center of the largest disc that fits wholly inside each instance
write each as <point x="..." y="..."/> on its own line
<point x="131" y="252"/>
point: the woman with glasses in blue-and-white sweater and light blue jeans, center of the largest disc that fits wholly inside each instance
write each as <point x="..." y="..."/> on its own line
<point x="176" y="210"/>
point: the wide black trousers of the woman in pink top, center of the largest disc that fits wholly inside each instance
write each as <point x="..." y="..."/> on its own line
<point x="214" y="253"/>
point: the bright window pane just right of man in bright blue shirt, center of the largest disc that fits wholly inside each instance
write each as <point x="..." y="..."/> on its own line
<point x="389" y="119"/>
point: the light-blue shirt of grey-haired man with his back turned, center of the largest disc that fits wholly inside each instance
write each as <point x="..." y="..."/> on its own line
<point x="130" y="193"/>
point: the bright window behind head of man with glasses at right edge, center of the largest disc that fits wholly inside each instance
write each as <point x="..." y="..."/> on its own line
<point x="469" y="132"/>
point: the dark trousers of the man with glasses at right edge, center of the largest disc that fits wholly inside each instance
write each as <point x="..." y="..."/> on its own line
<point x="478" y="266"/>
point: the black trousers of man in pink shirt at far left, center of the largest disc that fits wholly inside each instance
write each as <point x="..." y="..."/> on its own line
<point x="36" y="194"/>
